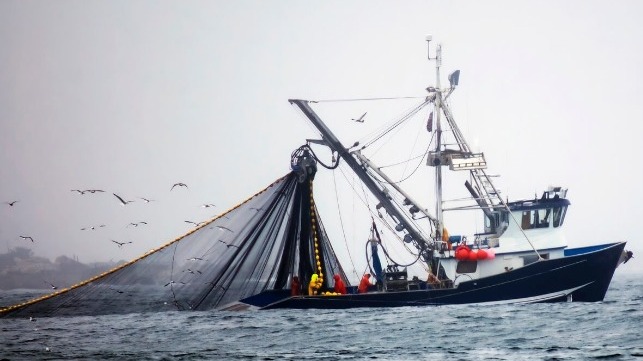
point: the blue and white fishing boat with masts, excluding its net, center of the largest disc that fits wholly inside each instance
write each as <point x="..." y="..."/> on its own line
<point x="521" y="256"/>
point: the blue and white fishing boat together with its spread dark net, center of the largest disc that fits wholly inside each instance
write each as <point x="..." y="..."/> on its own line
<point x="272" y="251"/>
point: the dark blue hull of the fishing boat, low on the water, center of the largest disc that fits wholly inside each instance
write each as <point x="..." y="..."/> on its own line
<point x="581" y="277"/>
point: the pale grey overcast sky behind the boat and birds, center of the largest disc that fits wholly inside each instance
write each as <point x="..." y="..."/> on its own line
<point x="131" y="97"/>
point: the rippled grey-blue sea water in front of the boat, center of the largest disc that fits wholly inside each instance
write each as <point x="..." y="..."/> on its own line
<point x="608" y="330"/>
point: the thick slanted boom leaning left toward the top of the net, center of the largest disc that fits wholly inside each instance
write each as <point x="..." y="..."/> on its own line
<point x="416" y="237"/>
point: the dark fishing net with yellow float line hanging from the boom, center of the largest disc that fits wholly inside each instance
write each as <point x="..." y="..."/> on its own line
<point x="256" y="247"/>
